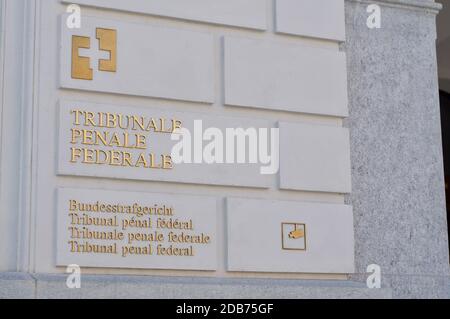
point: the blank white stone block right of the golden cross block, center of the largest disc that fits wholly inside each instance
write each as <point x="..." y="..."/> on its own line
<point x="275" y="75"/>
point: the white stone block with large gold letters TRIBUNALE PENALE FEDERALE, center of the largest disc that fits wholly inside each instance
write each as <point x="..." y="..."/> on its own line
<point x="157" y="145"/>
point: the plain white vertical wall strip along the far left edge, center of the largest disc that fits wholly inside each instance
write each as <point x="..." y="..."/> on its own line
<point x="16" y="107"/>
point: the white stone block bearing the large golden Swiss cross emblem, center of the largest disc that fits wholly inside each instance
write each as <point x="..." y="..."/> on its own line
<point x="151" y="61"/>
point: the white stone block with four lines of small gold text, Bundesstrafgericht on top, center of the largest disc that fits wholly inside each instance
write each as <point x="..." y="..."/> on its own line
<point x="107" y="229"/>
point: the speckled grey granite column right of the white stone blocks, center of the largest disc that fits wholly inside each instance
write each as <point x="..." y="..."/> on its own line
<point x="397" y="164"/>
